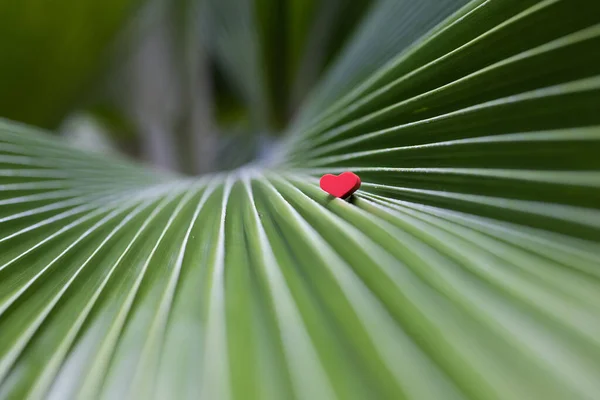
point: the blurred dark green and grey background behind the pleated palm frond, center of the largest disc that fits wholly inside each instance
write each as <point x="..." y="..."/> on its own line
<point x="186" y="85"/>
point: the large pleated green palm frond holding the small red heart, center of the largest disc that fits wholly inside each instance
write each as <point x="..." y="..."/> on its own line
<point x="466" y="266"/>
